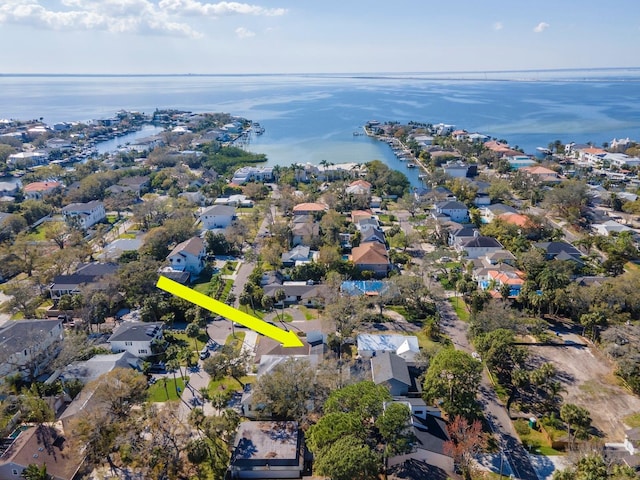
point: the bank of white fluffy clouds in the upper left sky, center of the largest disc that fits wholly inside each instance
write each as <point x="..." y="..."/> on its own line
<point x="125" y="16"/>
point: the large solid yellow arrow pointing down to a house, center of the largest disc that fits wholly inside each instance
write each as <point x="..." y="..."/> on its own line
<point x="287" y="338"/>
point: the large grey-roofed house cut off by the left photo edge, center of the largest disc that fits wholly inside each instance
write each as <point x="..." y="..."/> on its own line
<point x="28" y="346"/>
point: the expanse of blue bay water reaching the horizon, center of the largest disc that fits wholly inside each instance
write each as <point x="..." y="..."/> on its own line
<point x="312" y="117"/>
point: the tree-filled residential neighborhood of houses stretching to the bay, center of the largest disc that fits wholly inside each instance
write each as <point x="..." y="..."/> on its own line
<point x="484" y="323"/>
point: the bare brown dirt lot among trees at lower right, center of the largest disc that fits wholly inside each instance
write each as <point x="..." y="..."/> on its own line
<point x="588" y="378"/>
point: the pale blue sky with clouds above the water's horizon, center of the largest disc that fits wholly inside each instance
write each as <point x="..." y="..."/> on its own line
<point x="308" y="36"/>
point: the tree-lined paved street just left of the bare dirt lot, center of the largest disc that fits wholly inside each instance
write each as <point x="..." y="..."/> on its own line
<point x="493" y="409"/>
